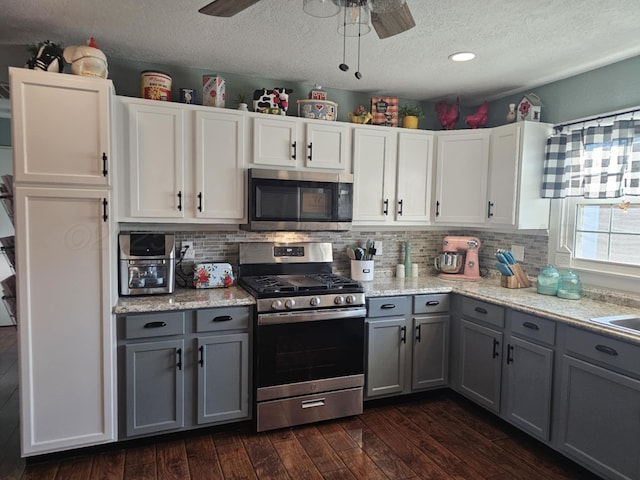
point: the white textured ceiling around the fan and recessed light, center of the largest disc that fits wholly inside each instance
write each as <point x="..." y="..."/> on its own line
<point x="520" y="44"/>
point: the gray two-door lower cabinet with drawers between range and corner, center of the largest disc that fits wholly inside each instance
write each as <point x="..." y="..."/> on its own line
<point x="406" y="352"/>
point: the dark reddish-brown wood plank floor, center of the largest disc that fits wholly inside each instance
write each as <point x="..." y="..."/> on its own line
<point x="439" y="436"/>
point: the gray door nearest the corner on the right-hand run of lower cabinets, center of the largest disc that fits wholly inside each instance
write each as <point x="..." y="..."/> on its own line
<point x="481" y="364"/>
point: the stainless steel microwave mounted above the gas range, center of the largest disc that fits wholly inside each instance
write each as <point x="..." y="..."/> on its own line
<point x="295" y="200"/>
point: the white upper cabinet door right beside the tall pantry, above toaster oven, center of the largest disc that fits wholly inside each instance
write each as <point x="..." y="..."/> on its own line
<point x="156" y="160"/>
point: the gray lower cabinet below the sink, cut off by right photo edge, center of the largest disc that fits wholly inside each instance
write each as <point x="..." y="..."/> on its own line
<point x="599" y="414"/>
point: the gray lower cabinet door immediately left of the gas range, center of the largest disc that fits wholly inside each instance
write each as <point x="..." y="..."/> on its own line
<point x="223" y="378"/>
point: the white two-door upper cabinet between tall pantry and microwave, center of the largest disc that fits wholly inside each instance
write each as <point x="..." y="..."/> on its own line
<point x="186" y="163"/>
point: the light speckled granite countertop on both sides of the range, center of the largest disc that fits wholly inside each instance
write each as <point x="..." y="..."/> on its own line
<point x="573" y="312"/>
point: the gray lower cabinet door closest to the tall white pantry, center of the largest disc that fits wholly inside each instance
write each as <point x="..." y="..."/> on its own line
<point x="154" y="386"/>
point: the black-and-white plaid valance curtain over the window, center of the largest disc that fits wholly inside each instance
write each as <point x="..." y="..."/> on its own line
<point x="597" y="162"/>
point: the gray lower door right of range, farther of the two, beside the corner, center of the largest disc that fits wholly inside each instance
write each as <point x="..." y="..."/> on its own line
<point x="430" y="351"/>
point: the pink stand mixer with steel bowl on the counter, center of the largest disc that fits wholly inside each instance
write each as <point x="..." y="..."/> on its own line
<point x="459" y="258"/>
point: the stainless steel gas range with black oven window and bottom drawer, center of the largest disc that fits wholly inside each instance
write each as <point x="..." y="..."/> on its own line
<point x="308" y="334"/>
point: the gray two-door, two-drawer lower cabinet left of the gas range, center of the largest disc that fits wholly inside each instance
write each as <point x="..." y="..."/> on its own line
<point x="184" y="369"/>
